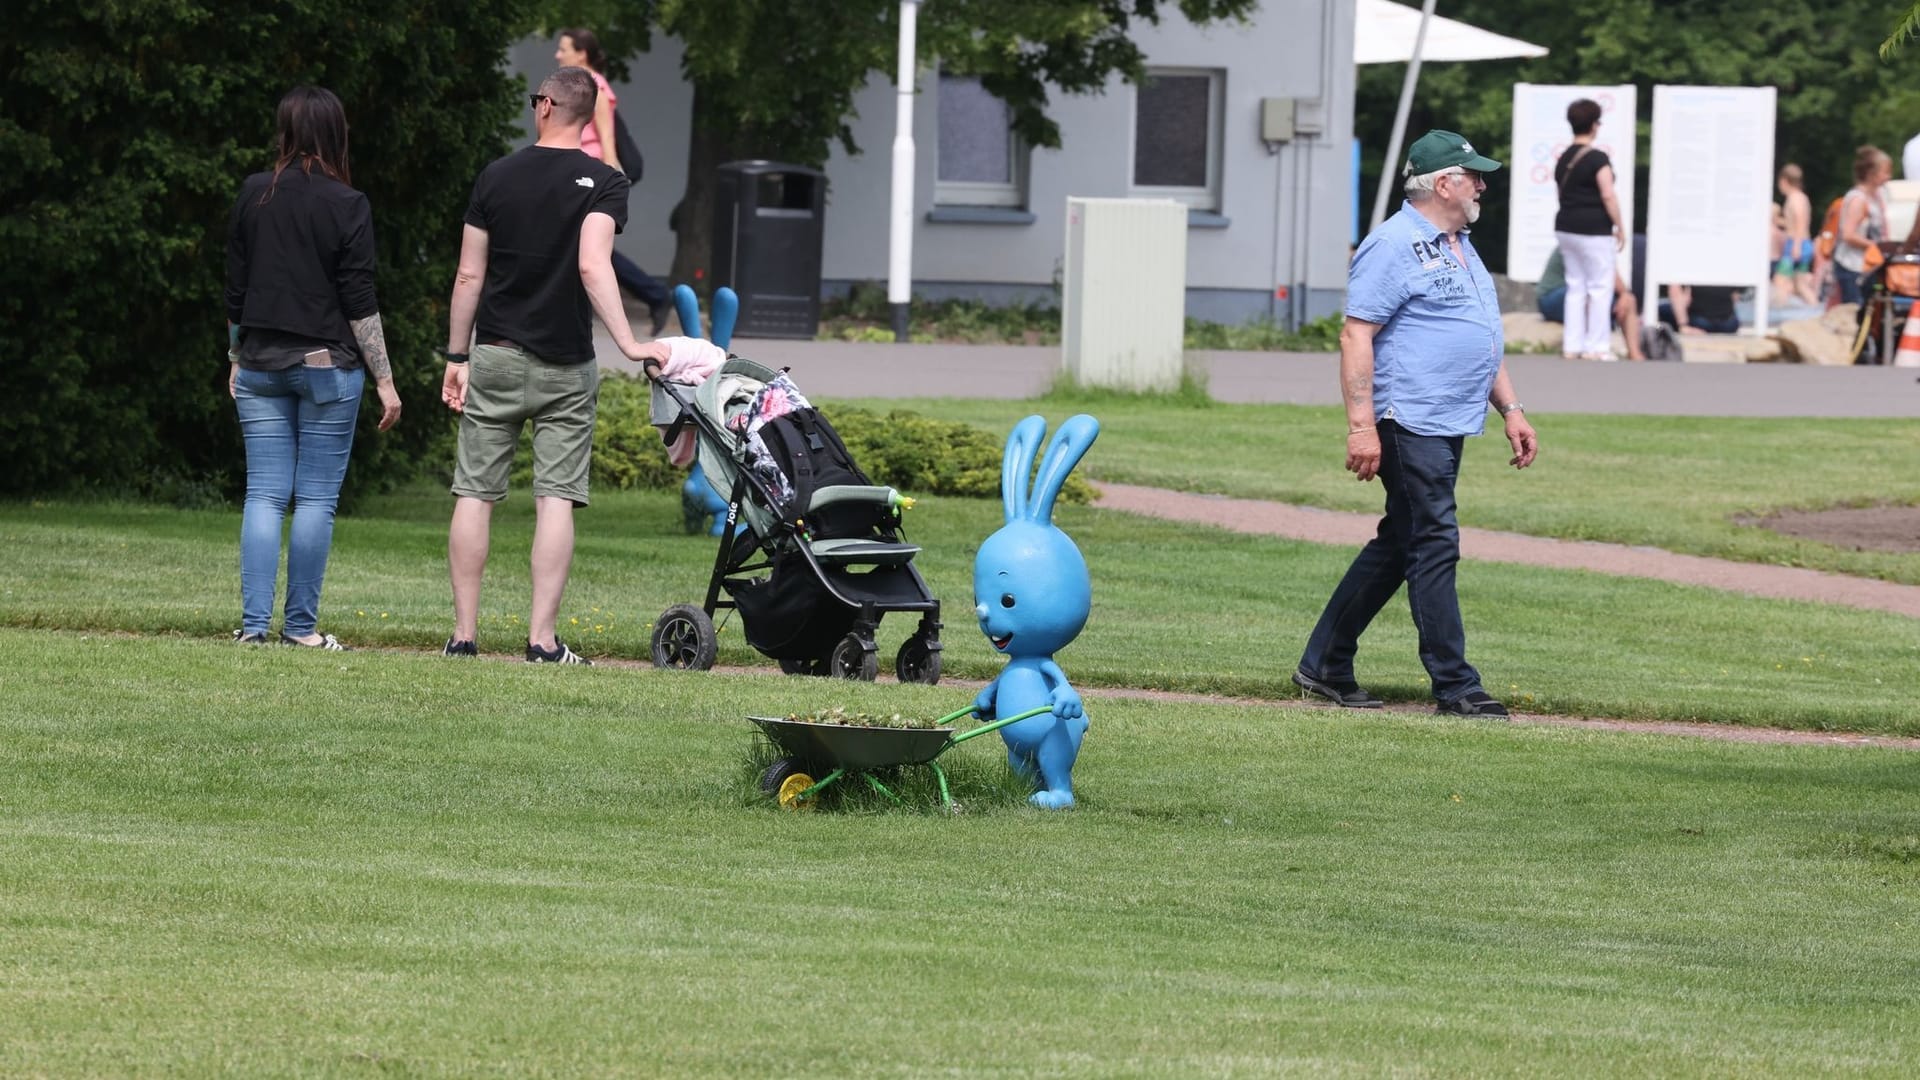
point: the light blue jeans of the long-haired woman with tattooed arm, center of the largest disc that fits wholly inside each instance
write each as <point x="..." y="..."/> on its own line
<point x="299" y="430"/>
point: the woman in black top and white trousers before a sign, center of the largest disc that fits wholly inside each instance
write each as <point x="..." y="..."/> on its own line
<point x="1589" y="232"/>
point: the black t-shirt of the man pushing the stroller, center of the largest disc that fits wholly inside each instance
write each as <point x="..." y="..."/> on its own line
<point x="531" y="205"/>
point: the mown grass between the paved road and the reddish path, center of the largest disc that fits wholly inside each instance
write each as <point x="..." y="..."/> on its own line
<point x="1675" y="483"/>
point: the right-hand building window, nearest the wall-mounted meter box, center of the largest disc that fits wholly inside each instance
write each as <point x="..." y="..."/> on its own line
<point x="1176" y="137"/>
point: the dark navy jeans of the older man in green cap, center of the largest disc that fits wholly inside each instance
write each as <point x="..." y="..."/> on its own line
<point x="1418" y="545"/>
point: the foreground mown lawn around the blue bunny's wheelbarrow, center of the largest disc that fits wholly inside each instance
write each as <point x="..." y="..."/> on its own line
<point x="264" y="862"/>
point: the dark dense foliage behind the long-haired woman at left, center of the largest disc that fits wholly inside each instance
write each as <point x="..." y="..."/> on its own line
<point x="126" y="130"/>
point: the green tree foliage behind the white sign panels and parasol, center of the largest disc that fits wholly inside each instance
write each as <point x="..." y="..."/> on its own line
<point x="1835" y="91"/>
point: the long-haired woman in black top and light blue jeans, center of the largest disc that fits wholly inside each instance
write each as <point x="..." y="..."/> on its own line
<point x="304" y="331"/>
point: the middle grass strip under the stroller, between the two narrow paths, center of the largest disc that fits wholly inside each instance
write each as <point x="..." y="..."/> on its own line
<point x="1176" y="608"/>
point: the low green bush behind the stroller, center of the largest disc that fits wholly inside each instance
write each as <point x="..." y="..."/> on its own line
<point x="905" y="451"/>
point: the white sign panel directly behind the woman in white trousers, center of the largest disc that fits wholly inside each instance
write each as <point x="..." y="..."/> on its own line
<point x="1541" y="135"/>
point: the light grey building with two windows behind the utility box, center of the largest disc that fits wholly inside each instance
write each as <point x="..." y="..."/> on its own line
<point x="1251" y="126"/>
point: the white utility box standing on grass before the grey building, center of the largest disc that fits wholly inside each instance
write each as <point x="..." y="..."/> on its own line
<point x="1124" y="283"/>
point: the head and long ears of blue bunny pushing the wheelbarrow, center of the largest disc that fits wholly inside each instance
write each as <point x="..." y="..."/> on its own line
<point x="1032" y="593"/>
